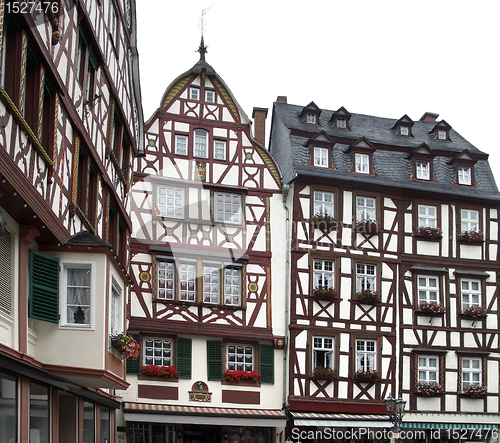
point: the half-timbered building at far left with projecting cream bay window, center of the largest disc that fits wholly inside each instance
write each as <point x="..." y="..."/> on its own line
<point x="70" y="121"/>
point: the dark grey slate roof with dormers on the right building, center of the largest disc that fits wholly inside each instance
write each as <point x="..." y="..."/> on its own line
<point x="392" y="167"/>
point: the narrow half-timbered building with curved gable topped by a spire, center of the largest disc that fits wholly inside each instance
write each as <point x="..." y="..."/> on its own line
<point x="207" y="304"/>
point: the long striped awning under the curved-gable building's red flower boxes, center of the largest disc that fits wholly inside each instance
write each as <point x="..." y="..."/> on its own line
<point x="146" y="412"/>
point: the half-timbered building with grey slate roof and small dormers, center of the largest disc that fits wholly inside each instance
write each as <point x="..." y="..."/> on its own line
<point x="393" y="272"/>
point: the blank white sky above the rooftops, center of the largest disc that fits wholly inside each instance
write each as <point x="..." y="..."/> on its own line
<point x="384" y="58"/>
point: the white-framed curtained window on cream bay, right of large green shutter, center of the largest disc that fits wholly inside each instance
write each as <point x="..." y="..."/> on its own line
<point x="77" y="296"/>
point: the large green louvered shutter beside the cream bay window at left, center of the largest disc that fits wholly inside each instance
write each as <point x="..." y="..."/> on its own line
<point x="44" y="287"/>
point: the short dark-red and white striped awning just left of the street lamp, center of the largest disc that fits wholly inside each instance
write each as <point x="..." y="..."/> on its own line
<point x="341" y="420"/>
